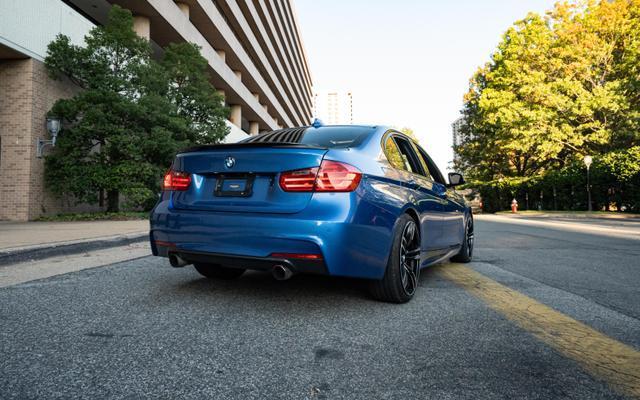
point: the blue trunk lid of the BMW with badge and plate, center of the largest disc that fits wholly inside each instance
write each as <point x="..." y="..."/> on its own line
<point x="243" y="177"/>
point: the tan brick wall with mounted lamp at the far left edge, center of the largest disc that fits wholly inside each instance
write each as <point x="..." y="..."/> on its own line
<point x="26" y="94"/>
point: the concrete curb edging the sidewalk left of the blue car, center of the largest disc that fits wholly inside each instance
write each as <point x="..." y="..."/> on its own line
<point x="38" y="252"/>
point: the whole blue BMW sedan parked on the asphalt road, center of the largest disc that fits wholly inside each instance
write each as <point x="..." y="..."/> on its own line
<point x="354" y="201"/>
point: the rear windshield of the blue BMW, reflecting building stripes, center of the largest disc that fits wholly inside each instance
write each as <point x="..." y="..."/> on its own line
<point x="326" y="137"/>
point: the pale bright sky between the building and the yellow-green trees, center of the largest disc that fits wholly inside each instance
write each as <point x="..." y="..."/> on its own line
<point x="407" y="62"/>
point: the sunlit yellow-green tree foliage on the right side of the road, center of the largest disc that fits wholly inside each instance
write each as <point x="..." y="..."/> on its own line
<point x="556" y="88"/>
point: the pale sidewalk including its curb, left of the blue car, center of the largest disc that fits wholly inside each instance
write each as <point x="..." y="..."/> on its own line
<point x="21" y="241"/>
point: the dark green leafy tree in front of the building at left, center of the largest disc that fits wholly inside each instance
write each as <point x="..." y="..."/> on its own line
<point x="131" y="114"/>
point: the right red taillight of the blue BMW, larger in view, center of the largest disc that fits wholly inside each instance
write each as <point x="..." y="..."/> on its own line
<point x="332" y="176"/>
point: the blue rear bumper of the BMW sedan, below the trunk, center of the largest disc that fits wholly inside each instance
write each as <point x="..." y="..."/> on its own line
<point x="334" y="227"/>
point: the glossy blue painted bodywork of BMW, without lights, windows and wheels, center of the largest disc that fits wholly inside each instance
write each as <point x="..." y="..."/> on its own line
<point x="353" y="231"/>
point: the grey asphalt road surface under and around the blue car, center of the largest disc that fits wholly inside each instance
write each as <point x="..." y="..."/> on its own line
<point x="140" y="329"/>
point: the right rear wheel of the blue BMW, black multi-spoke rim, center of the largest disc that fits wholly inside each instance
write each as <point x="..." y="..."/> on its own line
<point x="393" y="287"/>
